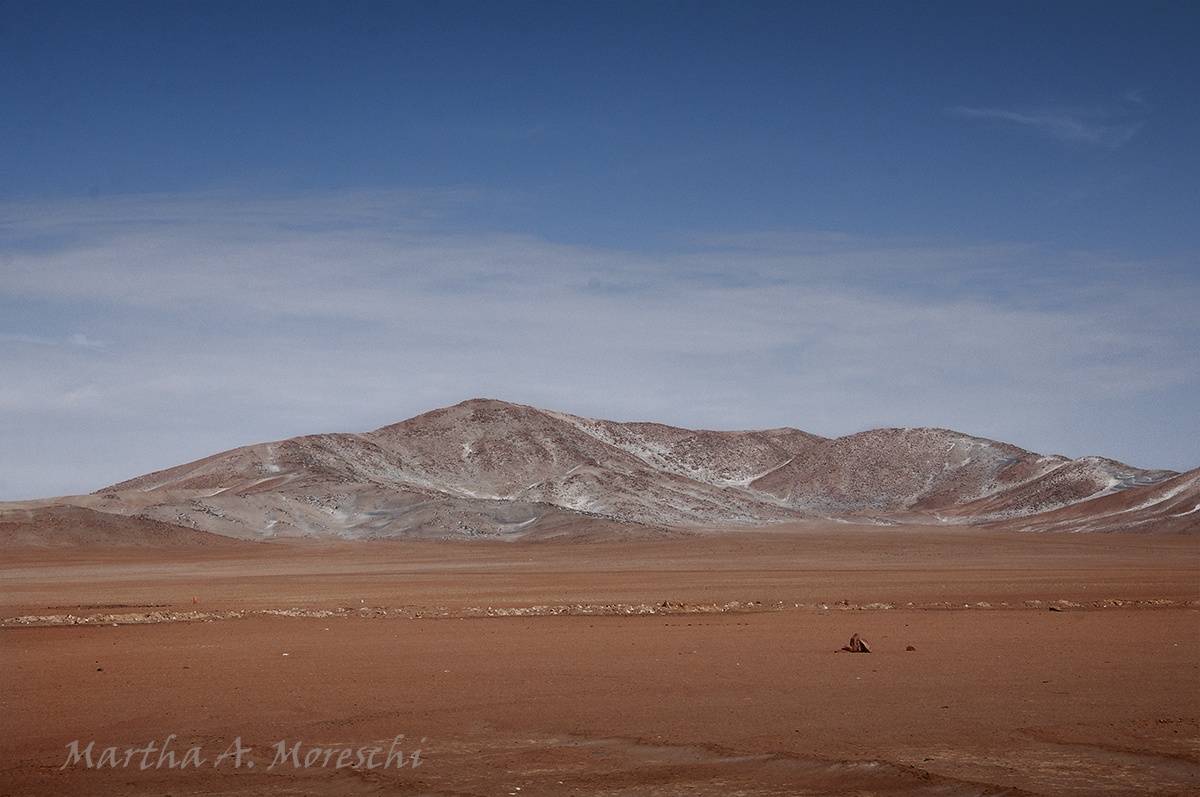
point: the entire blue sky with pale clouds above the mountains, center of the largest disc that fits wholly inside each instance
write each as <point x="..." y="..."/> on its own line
<point x="224" y="224"/>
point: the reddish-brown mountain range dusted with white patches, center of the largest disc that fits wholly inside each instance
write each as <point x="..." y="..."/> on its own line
<point x="493" y="469"/>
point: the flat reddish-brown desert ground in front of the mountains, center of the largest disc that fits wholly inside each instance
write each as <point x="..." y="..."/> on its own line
<point x="1041" y="664"/>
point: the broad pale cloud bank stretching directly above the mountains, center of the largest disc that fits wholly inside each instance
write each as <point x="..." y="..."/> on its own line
<point x="229" y="322"/>
